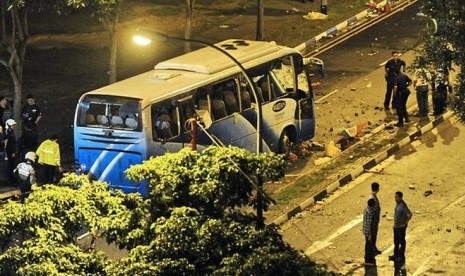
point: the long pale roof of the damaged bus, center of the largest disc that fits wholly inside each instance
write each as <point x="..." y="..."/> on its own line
<point x="194" y="69"/>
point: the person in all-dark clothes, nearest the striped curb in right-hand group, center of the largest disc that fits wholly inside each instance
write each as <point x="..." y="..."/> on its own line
<point x="401" y="91"/>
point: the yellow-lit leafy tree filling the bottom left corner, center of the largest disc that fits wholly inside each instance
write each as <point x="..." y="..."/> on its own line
<point x="40" y="236"/>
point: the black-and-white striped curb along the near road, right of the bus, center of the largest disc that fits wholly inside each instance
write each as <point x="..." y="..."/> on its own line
<point x="344" y="180"/>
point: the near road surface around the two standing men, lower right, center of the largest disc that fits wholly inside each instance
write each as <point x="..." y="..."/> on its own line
<point x="330" y="232"/>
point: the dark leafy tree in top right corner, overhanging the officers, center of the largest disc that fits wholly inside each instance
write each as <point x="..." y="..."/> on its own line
<point x="446" y="49"/>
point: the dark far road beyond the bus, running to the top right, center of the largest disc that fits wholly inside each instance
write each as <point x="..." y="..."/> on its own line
<point x="364" y="52"/>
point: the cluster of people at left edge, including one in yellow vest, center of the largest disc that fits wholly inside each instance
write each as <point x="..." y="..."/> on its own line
<point x="23" y="172"/>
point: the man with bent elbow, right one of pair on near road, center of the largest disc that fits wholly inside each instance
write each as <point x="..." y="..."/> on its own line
<point x="402" y="216"/>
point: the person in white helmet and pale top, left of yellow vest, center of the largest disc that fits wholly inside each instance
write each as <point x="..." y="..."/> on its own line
<point x="26" y="175"/>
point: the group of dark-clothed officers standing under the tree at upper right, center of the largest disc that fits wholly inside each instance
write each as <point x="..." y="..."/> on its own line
<point x="397" y="89"/>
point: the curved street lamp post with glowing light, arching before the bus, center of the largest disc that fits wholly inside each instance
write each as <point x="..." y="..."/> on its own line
<point x="144" y="39"/>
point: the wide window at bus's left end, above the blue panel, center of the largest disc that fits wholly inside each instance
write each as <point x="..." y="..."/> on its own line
<point x="109" y="112"/>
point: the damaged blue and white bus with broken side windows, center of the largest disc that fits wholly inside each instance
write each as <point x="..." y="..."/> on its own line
<point x="147" y="115"/>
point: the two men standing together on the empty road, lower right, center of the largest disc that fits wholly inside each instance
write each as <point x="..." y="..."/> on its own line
<point x="371" y="219"/>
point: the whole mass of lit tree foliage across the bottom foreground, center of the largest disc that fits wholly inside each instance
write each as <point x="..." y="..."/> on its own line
<point x="196" y="220"/>
